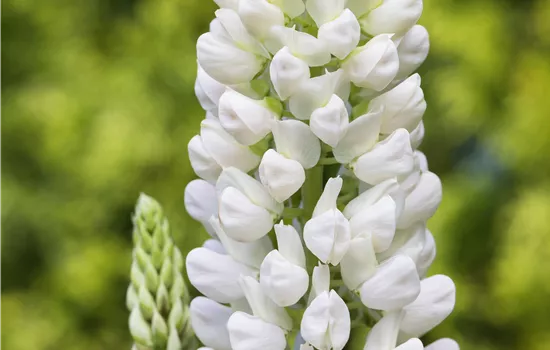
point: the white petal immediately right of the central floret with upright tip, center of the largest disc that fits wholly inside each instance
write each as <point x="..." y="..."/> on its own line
<point x="379" y="220"/>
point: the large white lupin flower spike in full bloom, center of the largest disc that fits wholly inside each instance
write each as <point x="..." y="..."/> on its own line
<point x="312" y="186"/>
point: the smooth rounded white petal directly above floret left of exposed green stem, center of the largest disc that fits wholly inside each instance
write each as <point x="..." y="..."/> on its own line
<point x="295" y="140"/>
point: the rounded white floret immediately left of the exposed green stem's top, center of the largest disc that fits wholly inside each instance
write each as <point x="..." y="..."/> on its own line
<point x="281" y="176"/>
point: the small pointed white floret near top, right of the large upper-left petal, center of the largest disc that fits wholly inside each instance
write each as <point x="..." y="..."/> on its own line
<point x="287" y="72"/>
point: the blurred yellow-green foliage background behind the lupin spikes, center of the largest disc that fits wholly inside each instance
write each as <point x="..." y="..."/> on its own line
<point x="98" y="105"/>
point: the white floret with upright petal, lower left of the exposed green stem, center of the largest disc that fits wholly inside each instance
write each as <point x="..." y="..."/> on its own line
<point x="282" y="275"/>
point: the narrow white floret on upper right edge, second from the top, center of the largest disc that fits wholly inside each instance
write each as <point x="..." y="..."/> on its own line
<point x="412" y="50"/>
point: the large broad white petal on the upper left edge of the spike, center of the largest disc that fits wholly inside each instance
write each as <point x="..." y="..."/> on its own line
<point x="225" y="62"/>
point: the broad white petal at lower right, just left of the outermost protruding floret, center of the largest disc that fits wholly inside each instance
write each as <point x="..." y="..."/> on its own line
<point x="394" y="285"/>
